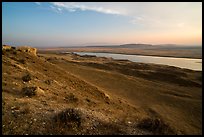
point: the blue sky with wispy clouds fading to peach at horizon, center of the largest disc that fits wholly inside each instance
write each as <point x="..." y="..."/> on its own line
<point x="61" y="24"/>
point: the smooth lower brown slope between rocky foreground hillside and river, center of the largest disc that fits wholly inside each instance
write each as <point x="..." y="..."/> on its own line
<point x="172" y="93"/>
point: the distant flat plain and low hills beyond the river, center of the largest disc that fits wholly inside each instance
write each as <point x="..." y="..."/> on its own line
<point x="140" y="49"/>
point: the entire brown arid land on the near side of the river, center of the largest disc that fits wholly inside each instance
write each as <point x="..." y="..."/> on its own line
<point x="48" y="93"/>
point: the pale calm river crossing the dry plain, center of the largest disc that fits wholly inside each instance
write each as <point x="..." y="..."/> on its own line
<point x="194" y="64"/>
